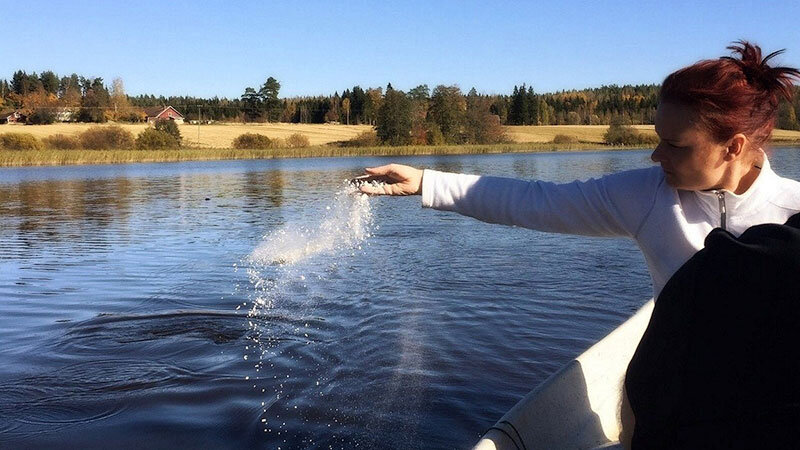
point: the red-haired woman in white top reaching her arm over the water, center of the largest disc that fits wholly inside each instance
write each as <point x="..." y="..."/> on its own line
<point x="713" y="119"/>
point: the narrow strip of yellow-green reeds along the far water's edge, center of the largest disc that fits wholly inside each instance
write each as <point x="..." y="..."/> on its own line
<point x="33" y="158"/>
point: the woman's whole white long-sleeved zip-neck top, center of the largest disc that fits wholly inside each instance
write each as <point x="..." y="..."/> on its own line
<point x="668" y="225"/>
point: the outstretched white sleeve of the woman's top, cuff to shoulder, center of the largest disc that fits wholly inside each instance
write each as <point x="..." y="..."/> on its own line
<point x="614" y="205"/>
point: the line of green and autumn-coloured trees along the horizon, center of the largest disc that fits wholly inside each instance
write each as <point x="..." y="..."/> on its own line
<point x="444" y="111"/>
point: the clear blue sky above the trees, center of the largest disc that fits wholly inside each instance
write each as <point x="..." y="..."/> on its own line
<point x="208" y="48"/>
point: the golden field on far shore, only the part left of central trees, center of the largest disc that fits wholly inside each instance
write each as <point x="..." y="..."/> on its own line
<point x="215" y="135"/>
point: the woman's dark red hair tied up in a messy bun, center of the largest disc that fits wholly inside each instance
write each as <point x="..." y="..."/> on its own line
<point x="733" y="95"/>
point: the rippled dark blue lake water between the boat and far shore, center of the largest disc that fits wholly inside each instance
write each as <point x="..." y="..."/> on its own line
<point x="251" y="304"/>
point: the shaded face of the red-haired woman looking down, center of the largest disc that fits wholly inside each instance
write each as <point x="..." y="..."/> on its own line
<point x="689" y="156"/>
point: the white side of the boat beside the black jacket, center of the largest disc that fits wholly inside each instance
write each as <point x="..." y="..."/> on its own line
<point x="578" y="406"/>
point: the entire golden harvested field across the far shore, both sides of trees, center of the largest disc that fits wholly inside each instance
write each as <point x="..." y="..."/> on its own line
<point x="222" y="135"/>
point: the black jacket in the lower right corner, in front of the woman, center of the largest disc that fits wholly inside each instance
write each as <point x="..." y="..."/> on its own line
<point x="719" y="363"/>
